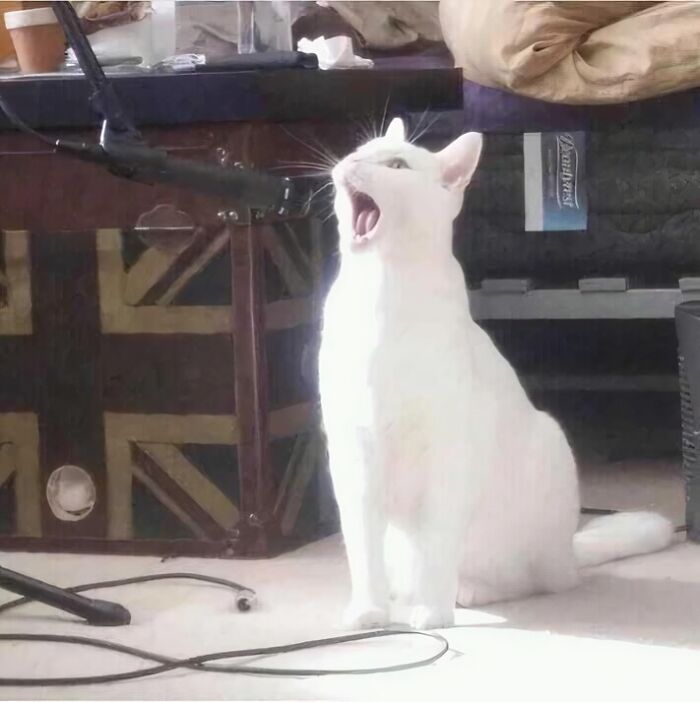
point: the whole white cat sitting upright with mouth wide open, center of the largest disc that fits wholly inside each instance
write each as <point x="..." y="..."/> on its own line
<point x="452" y="487"/>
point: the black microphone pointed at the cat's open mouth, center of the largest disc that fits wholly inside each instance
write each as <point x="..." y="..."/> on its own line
<point x="253" y="190"/>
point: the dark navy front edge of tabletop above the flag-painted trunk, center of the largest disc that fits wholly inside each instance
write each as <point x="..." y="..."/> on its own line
<point x="62" y="101"/>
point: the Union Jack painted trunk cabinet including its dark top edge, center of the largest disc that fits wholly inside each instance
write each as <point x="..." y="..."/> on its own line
<point x="157" y="354"/>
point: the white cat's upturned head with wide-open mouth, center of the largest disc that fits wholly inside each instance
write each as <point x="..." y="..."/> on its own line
<point x="392" y="196"/>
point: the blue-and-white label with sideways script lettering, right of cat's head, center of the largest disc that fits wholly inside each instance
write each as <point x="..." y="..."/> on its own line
<point x="555" y="190"/>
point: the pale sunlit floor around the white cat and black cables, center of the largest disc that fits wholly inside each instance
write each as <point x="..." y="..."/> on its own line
<point x="631" y="629"/>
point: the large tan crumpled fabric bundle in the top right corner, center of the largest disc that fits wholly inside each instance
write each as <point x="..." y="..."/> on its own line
<point x="576" y="52"/>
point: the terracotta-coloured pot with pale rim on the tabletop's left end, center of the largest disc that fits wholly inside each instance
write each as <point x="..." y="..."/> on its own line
<point x="38" y="39"/>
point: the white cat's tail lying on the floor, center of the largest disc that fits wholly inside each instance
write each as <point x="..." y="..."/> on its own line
<point x="620" y="535"/>
